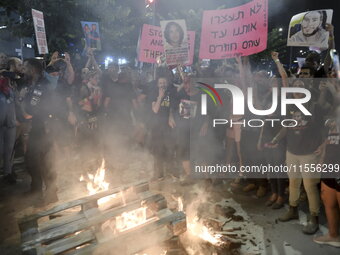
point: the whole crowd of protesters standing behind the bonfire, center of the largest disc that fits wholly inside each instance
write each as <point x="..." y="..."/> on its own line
<point x="58" y="105"/>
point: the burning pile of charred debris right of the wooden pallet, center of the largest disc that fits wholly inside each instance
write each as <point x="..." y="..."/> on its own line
<point x="220" y="227"/>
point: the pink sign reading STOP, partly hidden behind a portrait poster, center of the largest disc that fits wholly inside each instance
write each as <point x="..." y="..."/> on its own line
<point x="151" y="44"/>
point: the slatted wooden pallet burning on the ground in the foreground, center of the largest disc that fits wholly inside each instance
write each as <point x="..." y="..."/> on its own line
<point x="125" y="220"/>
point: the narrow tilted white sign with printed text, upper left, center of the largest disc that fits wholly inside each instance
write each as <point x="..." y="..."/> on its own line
<point x="39" y="28"/>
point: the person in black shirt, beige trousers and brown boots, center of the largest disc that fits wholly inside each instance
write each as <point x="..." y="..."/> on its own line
<point x="302" y="141"/>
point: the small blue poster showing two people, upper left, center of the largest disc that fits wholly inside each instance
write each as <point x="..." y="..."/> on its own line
<point x="92" y="35"/>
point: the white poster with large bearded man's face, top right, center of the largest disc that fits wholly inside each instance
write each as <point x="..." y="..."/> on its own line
<point x="309" y="29"/>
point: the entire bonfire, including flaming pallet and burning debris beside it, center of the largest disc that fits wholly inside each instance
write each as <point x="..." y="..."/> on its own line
<point x="133" y="220"/>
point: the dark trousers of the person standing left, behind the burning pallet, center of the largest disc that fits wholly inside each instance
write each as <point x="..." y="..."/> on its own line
<point x="39" y="162"/>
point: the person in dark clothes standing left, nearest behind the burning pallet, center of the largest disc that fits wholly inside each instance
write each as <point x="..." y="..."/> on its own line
<point x="38" y="157"/>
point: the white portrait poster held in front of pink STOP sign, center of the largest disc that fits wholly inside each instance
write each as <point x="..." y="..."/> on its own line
<point x="175" y="41"/>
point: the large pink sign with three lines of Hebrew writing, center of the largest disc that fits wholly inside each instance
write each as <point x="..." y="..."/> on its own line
<point x="239" y="31"/>
